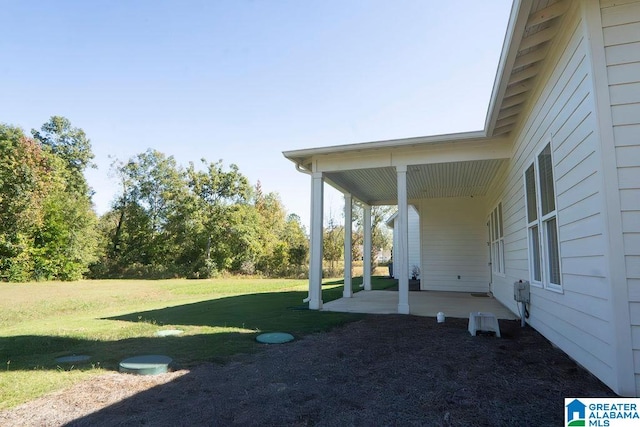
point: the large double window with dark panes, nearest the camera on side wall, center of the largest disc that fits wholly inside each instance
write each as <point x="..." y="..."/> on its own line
<point x="542" y="224"/>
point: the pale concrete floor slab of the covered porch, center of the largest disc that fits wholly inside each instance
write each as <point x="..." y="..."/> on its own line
<point x="423" y="303"/>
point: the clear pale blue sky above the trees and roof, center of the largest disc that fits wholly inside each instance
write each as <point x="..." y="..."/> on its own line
<point x="244" y="80"/>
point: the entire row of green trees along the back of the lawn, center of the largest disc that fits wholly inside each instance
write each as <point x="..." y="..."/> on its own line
<point x="166" y="221"/>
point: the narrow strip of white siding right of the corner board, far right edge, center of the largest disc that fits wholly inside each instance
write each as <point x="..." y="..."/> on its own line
<point x="621" y="33"/>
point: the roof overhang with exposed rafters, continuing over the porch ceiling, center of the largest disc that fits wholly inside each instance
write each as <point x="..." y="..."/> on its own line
<point x="458" y="164"/>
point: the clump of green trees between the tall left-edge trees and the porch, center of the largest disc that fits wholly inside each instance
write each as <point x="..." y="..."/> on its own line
<point x="170" y="221"/>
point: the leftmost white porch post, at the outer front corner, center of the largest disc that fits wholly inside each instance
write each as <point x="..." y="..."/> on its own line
<point x="315" y="261"/>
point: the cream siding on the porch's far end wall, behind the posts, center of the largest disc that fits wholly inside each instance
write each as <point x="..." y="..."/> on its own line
<point x="454" y="245"/>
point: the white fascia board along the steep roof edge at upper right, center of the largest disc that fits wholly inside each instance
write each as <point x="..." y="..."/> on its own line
<point x="515" y="30"/>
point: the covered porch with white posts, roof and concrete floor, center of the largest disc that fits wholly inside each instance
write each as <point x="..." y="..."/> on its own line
<point x="446" y="178"/>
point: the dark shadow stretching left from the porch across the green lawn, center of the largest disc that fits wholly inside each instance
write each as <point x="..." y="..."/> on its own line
<point x="252" y="313"/>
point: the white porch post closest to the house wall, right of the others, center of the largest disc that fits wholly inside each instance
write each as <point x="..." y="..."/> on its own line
<point x="403" y="242"/>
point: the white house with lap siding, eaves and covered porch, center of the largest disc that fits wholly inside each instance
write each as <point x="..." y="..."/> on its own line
<point x="555" y="174"/>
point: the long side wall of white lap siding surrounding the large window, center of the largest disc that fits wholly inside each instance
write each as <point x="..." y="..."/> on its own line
<point x="576" y="320"/>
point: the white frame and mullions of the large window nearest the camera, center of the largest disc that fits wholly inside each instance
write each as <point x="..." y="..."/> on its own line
<point x="538" y="229"/>
